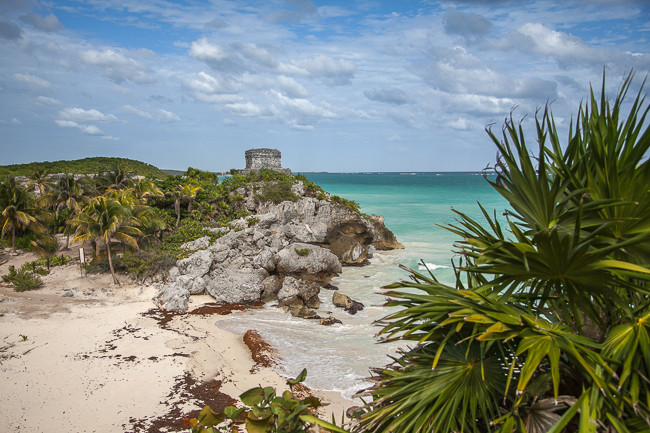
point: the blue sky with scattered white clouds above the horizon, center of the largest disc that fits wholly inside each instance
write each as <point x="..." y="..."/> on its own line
<point x="338" y="86"/>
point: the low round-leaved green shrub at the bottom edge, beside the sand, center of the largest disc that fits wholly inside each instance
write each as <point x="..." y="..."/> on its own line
<point x="266" y="412"/>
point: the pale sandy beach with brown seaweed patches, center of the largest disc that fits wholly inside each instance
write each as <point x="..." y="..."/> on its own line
<point x="105" y="360"/>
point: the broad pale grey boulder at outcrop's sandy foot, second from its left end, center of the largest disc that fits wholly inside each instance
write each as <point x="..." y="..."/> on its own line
<point x="232" y="286"/>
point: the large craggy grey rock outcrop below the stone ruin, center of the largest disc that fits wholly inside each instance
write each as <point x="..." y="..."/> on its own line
<point x="289" y="252"/>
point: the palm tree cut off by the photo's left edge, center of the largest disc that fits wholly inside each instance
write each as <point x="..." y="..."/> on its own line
<point x="19" y="210"/>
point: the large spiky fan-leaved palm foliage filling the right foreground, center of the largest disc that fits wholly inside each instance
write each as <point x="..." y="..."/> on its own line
<point x="547" y="328"/>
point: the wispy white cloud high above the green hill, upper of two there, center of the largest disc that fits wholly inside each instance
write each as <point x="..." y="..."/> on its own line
<point x="118" y="67"/>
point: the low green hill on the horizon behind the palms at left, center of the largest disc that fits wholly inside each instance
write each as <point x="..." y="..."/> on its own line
<point x="84" y="166"/>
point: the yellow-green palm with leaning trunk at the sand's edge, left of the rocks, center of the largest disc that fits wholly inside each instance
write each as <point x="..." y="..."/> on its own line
<point x="104" y="218"/>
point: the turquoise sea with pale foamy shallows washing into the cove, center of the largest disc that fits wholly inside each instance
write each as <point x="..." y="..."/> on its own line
<point x="338" y="357"/>
